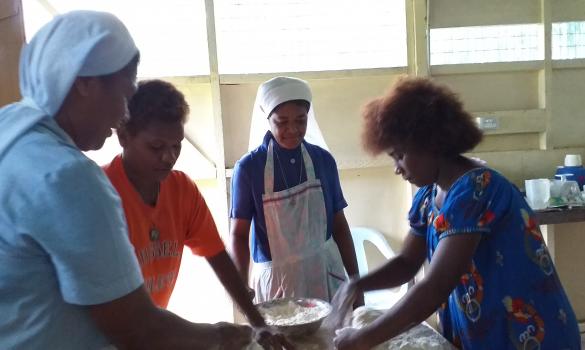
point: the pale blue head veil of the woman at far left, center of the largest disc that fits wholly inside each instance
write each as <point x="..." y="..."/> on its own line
<point x="78" y="43"/>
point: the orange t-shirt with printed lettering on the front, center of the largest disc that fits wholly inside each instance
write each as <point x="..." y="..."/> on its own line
<point x="180" y="217"/>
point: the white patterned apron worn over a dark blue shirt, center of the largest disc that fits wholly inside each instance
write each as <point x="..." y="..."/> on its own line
<point x="303" y="263"/>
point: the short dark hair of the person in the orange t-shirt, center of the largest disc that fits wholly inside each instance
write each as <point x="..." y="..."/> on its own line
<point x="155" y="100"/>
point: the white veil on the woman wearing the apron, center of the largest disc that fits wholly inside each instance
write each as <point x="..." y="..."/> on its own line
<point x="271" y="94"/>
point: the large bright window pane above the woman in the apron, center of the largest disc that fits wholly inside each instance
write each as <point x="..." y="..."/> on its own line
<point x="261" y="36"/>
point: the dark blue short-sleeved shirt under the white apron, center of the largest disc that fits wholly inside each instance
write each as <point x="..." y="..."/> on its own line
<point x="248" y="187"/>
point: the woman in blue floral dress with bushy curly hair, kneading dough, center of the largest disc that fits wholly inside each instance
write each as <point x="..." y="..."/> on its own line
<point x="490" y="274"/>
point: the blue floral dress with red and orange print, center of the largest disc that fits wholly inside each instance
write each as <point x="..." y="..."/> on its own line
<point x="511" y="297"/>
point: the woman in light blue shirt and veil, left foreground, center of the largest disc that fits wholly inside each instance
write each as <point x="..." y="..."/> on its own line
<point x="69" y="278"/>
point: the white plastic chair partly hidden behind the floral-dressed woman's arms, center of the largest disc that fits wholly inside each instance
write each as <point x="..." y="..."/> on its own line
<point x="379" y="299"/>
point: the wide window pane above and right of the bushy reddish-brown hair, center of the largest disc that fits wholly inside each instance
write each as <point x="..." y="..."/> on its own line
<point x="502" y="43"/>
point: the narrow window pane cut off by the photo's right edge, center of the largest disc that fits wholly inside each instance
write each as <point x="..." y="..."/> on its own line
<point x="568" y="40"/>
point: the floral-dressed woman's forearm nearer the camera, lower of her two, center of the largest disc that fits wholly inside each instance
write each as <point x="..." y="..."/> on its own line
<point x="418" y="304"/>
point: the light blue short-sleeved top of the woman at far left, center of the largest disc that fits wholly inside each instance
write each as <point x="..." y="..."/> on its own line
<point x="63" y="244"/>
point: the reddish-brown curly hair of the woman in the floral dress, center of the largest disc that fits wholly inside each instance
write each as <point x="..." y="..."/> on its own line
<point x="419" y="114"/>
